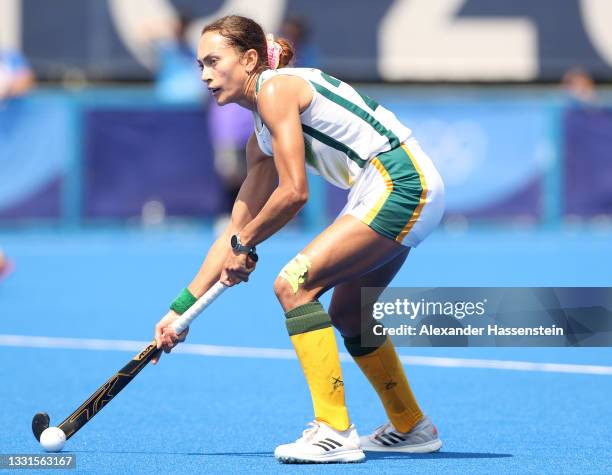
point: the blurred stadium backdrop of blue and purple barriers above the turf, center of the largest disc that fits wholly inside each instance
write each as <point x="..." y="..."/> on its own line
<point x="515" y="143"/>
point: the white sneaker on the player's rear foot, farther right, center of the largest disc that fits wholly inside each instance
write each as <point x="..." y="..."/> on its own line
<point x="423" y="438"/>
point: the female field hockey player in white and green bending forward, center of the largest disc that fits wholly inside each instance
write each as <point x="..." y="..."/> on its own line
<point x="305" y="118"/>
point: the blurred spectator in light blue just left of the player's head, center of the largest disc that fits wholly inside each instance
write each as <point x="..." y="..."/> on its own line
<point x="177" y="77"/>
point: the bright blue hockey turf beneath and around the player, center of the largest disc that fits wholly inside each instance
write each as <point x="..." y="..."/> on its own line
<point x="221" y="414"/>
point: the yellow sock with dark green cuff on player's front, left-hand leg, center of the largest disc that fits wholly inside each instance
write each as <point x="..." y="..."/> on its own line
<point x="315" y="344"/>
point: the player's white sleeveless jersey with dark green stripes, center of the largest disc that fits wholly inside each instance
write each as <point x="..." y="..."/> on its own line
<point x="343" y="129"/>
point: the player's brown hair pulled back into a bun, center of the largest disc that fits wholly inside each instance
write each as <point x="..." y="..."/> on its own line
<point x="244" y="34"/>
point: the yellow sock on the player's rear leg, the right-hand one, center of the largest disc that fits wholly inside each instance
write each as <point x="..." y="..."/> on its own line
<point x="385" y="372"/>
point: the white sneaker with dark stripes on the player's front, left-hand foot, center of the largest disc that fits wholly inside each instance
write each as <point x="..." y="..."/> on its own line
<point x="321" y="443"/>
